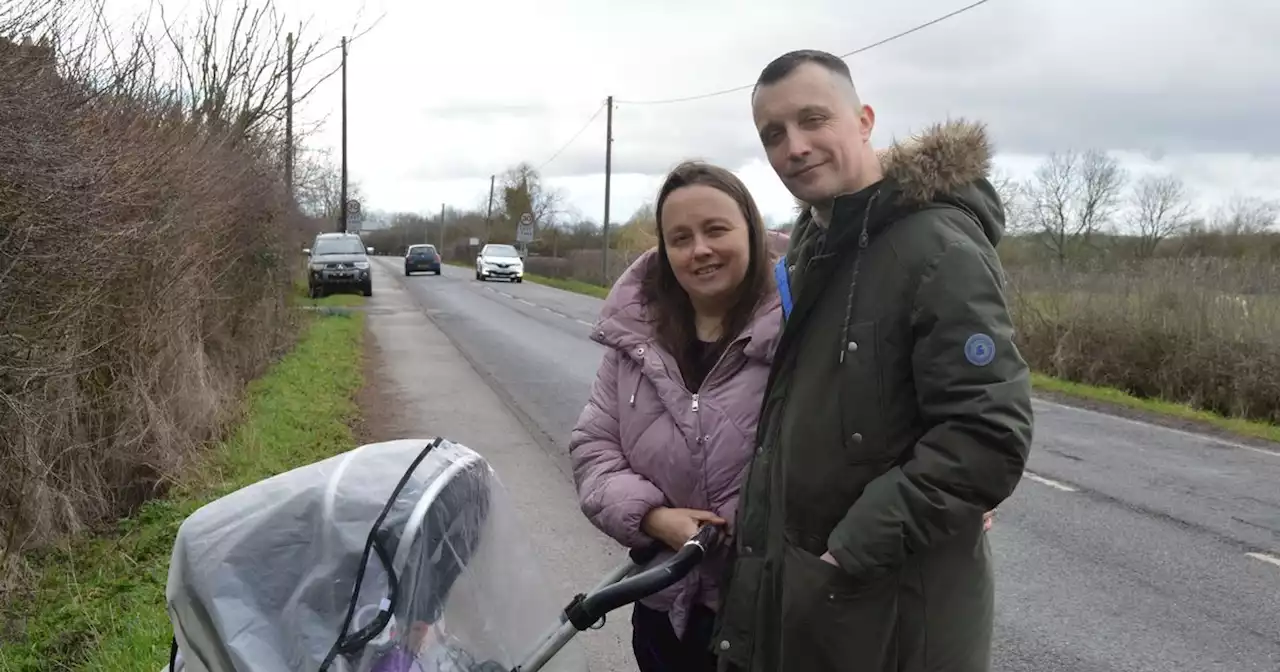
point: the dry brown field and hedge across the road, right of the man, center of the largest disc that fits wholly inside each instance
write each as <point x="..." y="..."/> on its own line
<point x="1201" y="333"/>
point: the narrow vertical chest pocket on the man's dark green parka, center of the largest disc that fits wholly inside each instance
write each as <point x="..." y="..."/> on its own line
<point x="862" y="397"/>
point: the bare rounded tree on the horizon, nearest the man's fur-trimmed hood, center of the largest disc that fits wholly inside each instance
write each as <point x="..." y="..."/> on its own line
<point x="1073" y="198"/>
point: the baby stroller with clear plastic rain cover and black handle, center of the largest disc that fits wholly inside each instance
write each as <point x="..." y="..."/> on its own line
<point x="394" y="557"/>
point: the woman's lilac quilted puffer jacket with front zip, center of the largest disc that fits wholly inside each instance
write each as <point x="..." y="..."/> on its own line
<point x="644" y="441"/>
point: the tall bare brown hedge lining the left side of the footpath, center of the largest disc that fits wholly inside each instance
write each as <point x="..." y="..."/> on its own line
<point x="148" y="252"/>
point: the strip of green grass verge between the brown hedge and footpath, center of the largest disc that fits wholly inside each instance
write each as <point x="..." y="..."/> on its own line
<point x="99" y="604"/>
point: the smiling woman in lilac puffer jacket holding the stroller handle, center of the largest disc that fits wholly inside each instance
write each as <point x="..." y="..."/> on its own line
<point x="664" y="442"/>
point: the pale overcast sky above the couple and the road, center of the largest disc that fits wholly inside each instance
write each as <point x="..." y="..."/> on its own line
<point x="441" y="95"/>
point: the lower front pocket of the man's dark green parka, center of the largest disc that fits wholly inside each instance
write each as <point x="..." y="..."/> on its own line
<point x="833" y="623"/>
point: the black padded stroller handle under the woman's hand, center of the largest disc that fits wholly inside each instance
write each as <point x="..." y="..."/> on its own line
<point x="584" y="612"/>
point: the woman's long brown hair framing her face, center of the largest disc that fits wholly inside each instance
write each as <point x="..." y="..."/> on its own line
<point x="670" y="309"/>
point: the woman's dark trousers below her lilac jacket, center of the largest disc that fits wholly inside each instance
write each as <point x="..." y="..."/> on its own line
<point x="657" y="650"/>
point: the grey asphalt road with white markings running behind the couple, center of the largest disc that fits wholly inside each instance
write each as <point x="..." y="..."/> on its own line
<point x="1128" y="547"/>
